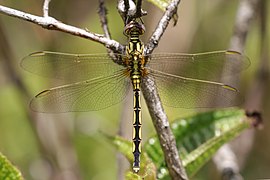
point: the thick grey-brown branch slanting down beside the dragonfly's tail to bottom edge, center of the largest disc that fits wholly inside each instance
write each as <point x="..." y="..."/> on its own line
<point x="164" y="133"/>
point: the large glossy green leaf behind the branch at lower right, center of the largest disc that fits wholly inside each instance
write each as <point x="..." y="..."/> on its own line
<point x="198" y="138"/>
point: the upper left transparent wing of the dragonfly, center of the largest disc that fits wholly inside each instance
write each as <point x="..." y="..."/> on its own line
<point x="70" y="67"/>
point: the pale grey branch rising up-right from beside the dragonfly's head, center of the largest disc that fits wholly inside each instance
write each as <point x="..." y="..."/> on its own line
<point x="162" y="25"/>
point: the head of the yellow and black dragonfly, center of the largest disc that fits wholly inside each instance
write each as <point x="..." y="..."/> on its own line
<point x="134" y="28"/>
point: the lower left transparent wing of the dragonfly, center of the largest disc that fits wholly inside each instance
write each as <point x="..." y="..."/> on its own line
<point x="89" y="95"/>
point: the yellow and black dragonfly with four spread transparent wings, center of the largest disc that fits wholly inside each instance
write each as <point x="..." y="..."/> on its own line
<point x="95" y="81"/>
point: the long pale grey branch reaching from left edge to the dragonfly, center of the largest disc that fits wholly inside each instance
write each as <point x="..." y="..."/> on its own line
<point x="53" y="24"/>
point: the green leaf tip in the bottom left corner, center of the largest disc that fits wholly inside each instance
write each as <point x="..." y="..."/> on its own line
<point x="7" y="170"/>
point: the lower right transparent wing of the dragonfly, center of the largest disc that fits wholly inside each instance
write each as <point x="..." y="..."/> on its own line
<point x="176" y="91"/>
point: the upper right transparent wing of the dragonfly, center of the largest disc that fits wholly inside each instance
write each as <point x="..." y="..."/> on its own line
<point x="208" y="66"/>
